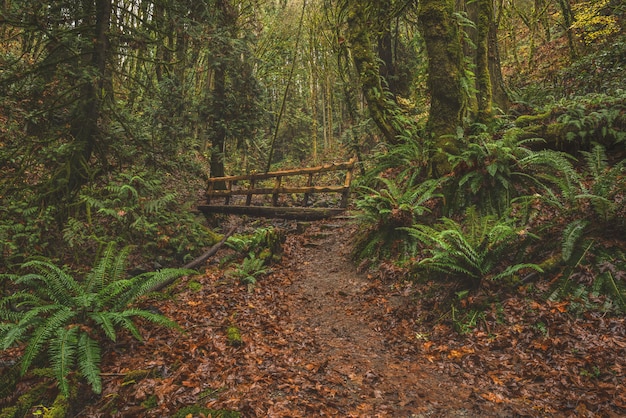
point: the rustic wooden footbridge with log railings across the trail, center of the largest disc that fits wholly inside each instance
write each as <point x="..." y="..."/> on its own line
<point x="279" y="190"/>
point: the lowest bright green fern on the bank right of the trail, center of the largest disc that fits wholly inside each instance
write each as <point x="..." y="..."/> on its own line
<point x="482" y="247"/>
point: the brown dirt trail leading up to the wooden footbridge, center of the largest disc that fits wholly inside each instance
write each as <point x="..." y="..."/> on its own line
<point x="344" y="313"/>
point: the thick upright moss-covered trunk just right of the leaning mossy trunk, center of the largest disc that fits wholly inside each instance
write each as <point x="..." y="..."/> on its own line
<point x="445" y="73"/>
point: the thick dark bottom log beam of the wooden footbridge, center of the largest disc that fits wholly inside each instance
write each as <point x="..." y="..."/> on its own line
<point x="298" y="213"/>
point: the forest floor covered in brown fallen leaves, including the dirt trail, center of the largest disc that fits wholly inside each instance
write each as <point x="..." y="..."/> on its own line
<point x="320" y="338"/>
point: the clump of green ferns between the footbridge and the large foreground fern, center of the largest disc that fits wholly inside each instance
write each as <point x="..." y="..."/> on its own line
<point x="138" y="209"/>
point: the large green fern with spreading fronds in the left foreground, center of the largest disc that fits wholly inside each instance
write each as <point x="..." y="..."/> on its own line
<point x="53" y="310"/>
